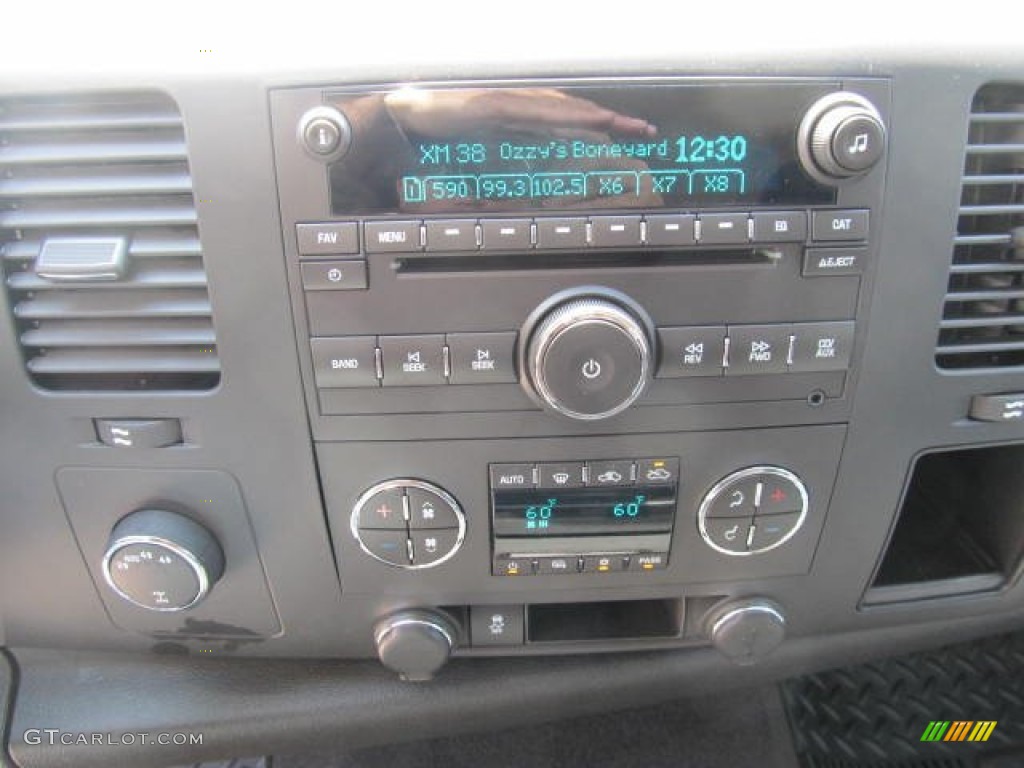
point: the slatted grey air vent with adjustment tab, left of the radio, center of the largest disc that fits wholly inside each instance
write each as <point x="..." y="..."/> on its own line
<point x="100" y="244"/>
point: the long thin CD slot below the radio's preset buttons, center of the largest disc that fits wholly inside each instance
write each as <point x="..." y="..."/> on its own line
<point x="533" y="261"/>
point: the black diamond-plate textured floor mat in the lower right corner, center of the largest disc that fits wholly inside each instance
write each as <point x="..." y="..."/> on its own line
<point x="959" y="707"/>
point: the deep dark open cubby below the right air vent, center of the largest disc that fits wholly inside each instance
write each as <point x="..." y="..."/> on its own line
<point x="961" y="529"/>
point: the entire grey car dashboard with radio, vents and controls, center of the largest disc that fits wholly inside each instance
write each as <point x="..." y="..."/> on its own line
<point x="449" y="386"/>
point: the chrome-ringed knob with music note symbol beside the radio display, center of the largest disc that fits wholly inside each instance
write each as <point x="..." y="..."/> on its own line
<point x="841" y="137"/>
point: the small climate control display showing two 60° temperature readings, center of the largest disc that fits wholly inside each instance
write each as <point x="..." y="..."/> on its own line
<point x="600" y="511"/>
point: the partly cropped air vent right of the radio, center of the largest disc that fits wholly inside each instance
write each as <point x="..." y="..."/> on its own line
<point x="984" y="322"/>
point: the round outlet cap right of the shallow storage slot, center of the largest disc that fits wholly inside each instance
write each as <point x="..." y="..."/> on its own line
<point x="747" y="631"/>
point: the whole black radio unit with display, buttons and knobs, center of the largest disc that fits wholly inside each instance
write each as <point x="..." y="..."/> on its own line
<point x="593" y="248"/>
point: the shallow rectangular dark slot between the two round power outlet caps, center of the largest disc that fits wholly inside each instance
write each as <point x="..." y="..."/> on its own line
<point x="625" y="620"/>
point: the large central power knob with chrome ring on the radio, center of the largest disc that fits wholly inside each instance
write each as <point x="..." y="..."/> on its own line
<point x="588" y="355"/>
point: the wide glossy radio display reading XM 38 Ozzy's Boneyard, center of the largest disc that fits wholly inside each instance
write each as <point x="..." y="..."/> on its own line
<point x="495" y="150"/>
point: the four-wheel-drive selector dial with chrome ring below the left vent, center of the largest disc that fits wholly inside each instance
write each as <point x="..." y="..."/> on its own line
<point x="162" y="561"/>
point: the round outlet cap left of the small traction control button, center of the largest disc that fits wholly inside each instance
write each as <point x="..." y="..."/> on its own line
<point x="415" y="644"/>
